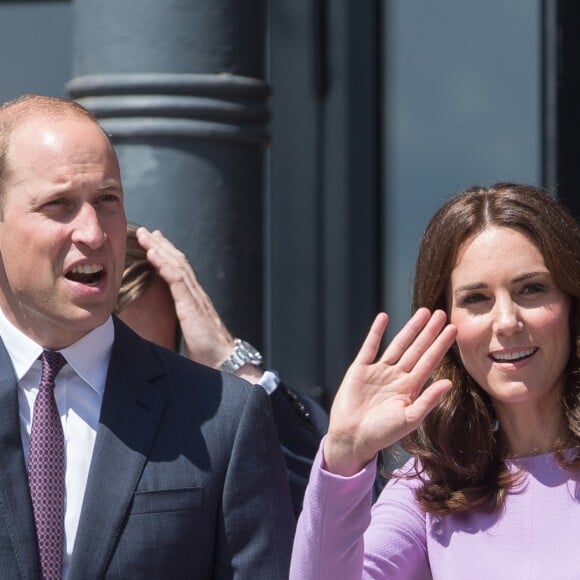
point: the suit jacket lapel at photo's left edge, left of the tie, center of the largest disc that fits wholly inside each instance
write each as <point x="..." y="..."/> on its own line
<point x="15" y="502"/>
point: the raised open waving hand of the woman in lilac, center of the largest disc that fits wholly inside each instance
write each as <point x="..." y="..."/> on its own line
<point x="380" y="401"/>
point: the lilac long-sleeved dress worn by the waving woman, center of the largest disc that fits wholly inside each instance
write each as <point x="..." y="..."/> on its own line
<point x="535" y="536"/>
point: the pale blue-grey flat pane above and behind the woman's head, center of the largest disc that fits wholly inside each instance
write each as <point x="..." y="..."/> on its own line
<point x="463" y="106"/>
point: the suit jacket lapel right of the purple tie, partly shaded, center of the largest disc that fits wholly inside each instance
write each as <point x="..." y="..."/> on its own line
<point x="132" y="407"/>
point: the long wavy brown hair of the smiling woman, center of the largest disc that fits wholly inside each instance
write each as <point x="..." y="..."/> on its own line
<point x="458" y="447"/>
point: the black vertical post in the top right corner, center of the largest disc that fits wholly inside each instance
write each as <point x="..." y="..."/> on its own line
<point x="561" y="127"/>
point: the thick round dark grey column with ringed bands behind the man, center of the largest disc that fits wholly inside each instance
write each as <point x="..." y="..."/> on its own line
<point x="179" y="86"/>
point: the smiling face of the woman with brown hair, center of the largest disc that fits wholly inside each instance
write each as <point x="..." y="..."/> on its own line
<point x="512" y="320"/>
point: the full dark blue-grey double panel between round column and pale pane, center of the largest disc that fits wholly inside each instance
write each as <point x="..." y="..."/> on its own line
<point x="323" y="242"/>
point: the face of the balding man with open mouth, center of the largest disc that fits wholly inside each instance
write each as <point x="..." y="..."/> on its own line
<point x="63" y="232"/>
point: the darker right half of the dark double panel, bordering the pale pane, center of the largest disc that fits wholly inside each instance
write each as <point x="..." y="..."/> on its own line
<point x="350" y="184"/>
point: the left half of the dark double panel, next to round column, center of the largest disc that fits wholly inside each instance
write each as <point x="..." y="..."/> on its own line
<point x="292" y="235"/>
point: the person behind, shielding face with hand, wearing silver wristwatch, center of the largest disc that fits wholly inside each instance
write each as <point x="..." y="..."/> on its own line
<point x="162" y="299"/>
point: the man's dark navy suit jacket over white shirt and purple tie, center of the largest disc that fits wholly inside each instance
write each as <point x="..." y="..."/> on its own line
<point x="187" y="479"/>
